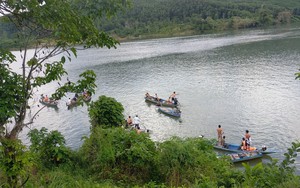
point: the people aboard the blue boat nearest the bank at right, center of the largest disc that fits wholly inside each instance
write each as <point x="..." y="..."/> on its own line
<point x="245" y="143"/>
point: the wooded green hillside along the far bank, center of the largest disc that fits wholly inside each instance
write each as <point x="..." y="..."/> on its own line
<point x="157" y="18"/>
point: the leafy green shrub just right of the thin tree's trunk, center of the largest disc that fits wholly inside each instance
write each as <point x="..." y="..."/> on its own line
<point x="48" y="148"/>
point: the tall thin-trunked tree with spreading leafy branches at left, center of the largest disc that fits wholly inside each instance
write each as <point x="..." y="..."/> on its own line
<point x="51" y="28"/>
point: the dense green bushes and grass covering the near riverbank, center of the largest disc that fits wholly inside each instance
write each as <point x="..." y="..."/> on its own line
<point x="123" y="158"/>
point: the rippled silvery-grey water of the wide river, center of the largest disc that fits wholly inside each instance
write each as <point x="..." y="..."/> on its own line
<point x="242" y="80"/>
